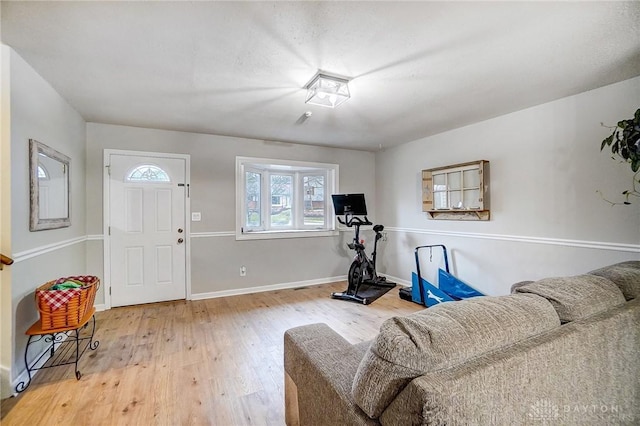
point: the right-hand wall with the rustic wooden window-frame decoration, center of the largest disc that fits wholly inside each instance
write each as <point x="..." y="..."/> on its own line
<point x="546" y="217"/>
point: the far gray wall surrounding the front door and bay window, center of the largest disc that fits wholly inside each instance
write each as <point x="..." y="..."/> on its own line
<point x="216" y="256"/>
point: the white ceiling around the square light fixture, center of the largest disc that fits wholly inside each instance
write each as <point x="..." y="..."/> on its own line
<point x="239" y="68"/>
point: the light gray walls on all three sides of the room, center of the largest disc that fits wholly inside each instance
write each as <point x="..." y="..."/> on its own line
<point x="547" y="218"/>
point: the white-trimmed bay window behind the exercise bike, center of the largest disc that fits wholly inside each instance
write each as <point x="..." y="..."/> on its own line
<point x="283" y="199"/>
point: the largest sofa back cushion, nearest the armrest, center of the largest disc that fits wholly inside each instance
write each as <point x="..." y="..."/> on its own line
<point x="444" y="336"/>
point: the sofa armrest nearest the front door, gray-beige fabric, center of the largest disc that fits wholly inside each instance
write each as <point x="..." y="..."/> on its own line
<point x="319" y="369"/>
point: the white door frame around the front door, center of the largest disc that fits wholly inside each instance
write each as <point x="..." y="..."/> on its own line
<point x="106" y="221"/>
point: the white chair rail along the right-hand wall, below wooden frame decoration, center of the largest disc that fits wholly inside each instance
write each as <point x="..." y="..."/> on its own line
<point x="598" y="245"/>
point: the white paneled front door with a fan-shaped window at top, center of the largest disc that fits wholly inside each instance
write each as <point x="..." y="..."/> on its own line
<point x="147" y="235"/>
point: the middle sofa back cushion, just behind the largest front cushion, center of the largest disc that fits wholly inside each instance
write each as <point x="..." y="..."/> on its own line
<point x="576" y="297"/>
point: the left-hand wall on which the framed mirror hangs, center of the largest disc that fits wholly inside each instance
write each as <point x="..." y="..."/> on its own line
<point x="39" y="112"/>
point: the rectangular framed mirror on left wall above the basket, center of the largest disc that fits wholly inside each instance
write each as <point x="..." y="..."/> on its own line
<point x="49" y="187"/>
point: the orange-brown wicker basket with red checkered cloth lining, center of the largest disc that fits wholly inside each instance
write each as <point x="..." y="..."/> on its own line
<point x="71" y="313"/>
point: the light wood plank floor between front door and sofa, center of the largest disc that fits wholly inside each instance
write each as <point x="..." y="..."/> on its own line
<point x="215" y="361"/>
